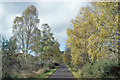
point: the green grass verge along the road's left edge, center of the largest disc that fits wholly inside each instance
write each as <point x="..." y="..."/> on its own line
<point x="47" y="73"/>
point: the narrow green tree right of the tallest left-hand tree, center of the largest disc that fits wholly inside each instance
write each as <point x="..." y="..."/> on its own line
<point x="47" y="41"/>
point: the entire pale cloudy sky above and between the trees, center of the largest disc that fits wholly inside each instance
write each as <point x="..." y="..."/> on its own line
<point x="57" y="14"/>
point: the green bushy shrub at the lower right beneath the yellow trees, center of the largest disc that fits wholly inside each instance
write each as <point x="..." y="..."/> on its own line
<point x="106" y="68"/>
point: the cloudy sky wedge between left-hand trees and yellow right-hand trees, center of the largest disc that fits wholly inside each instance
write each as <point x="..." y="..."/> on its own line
<point x="58" y="16"/>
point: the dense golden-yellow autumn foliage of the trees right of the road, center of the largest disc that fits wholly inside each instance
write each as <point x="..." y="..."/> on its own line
<point x="95" y="33"/>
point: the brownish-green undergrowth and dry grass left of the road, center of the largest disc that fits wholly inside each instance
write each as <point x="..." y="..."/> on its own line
<point x="26" y="69"/>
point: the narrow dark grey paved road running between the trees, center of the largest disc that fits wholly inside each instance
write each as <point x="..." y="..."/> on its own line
<point x="62" y="72"/>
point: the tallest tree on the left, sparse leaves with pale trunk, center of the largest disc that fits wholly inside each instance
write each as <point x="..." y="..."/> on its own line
<point x="24" y="26"/>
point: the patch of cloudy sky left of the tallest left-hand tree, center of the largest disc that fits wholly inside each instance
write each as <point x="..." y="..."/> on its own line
<point x="9" y="11"/>
